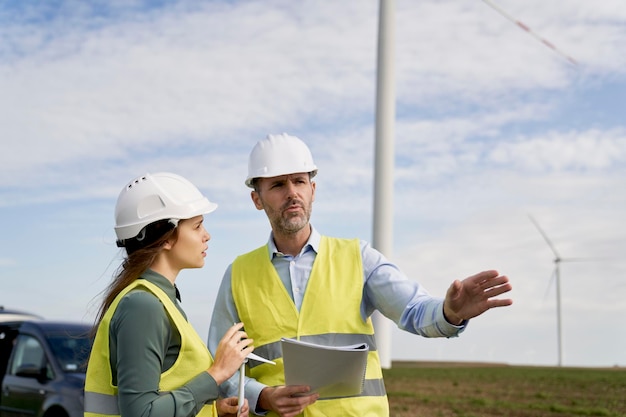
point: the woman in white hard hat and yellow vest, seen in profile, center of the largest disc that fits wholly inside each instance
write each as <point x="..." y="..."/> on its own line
<point x="147" y="360"/>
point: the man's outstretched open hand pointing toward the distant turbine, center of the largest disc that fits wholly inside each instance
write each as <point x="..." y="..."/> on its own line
<point x="475" y="295"/>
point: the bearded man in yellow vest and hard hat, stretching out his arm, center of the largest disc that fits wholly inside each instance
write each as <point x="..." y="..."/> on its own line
<point x="305" y="285"/>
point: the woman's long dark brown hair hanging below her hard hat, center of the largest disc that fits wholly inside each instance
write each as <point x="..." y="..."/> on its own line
<point x="139" y="258"/>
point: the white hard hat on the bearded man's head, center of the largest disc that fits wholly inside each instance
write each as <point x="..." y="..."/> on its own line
<point x="279" y="155"/>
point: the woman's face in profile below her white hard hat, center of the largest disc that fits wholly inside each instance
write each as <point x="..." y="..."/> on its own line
<point x="190" y="247"/>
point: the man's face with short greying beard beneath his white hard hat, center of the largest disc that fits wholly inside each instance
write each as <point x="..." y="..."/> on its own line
<point x="287" y="201"/>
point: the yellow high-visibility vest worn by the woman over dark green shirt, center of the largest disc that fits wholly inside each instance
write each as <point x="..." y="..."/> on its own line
<point x="193" y="358"/>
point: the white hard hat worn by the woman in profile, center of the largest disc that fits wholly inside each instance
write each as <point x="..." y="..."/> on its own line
<point x="154" y="197"/>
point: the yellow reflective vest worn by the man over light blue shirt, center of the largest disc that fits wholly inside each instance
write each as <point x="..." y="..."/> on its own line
<point x="330" y="313"/>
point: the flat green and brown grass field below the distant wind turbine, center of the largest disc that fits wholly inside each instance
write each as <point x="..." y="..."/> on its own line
<point x="419" y="389"/>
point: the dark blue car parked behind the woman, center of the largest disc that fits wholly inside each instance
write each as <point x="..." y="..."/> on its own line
<point x="45" y="373"/>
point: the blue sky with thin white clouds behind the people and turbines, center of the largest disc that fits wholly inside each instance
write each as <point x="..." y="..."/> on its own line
<point x="491" y="127"/>
